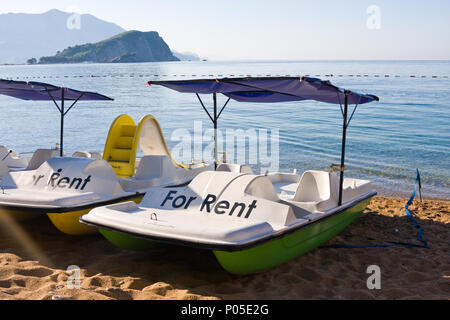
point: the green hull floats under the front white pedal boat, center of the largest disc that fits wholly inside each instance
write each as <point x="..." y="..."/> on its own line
<point x="267" y="255"/>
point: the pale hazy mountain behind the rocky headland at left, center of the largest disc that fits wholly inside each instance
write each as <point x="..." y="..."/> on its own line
<point x="25" y="36"/>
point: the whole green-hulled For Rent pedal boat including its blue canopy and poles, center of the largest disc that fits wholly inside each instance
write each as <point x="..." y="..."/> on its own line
<point x="251" y="223"/>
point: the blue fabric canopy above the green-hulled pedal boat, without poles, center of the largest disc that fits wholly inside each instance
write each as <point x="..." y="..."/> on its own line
<point x="270" y="89"/>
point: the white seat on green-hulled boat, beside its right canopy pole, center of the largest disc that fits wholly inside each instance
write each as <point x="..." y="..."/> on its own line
<point x="317" y="190"/>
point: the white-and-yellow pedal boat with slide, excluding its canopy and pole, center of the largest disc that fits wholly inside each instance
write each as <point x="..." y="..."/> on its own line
<point x="67" y="188"/>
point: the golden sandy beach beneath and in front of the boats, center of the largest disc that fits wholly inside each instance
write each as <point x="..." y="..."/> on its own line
<point x="34" y="258"/>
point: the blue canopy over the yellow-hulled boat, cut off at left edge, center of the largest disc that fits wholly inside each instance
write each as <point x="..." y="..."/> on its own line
<point x="38" y="91"/>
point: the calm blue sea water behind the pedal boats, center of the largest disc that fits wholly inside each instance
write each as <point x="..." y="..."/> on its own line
<point x="408" y="129"/>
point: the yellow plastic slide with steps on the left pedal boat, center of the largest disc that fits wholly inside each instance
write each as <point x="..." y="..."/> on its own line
<point x="124" y="139"/>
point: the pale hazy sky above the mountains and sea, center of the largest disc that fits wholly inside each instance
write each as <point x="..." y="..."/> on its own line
<point x="278" y="30"/>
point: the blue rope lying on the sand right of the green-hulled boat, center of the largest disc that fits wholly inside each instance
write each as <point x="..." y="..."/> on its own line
<point x="395" y="244"/>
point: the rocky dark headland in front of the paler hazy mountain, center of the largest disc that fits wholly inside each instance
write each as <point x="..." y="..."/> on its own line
<point x="131" y="46"/>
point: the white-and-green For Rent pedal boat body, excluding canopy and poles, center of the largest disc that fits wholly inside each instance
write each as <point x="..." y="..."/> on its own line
<point x="251" y="223"/>
